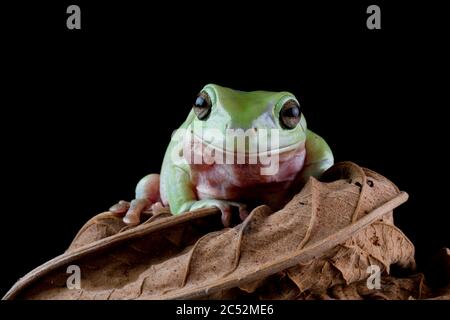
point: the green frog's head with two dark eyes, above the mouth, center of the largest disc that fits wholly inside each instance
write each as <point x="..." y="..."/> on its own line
<point x="221" y="109"/>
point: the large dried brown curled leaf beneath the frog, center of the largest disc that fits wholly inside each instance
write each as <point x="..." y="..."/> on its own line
<point x="321" y="239"/>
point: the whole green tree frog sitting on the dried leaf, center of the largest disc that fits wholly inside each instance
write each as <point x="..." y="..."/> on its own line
<point x="235" y="150"/>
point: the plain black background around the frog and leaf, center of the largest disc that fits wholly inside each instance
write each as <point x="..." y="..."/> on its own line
<point x="86" y="113"/>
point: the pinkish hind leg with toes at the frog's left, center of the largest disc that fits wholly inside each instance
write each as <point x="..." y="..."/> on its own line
<point x="147" y="196"/>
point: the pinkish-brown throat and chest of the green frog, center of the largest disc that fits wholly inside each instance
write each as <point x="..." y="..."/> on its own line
<point x="245" y="183"/>
